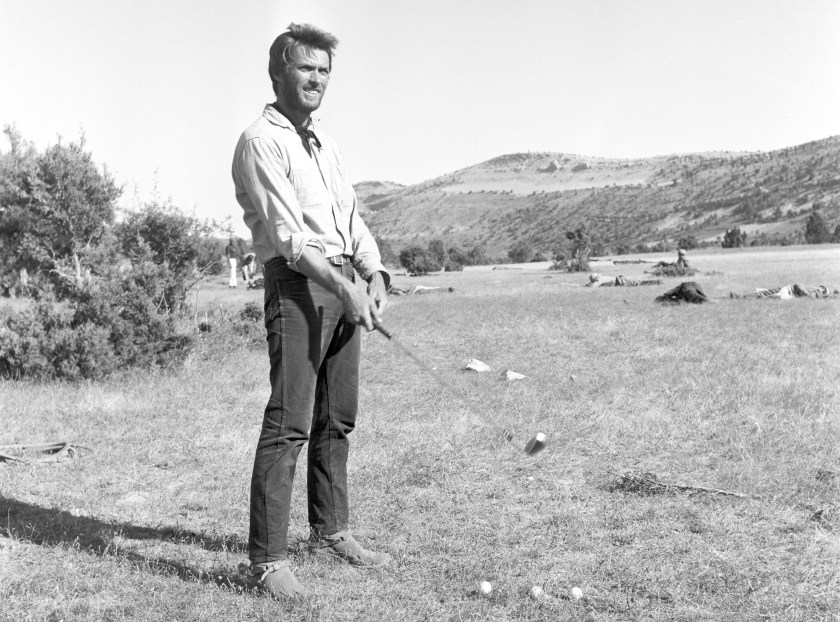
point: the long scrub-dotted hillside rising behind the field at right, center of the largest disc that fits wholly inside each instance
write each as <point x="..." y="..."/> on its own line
<point x="537" y="197"/>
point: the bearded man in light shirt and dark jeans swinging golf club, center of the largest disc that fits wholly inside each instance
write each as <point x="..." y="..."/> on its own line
<point x="307" y="232"/>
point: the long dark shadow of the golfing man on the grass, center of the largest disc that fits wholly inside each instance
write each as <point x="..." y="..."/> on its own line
<point x="26" y="522"/>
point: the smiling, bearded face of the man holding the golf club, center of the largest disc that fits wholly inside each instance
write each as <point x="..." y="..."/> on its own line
<point x="302" y="83"/>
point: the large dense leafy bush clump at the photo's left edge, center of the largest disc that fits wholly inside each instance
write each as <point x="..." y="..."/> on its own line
<point x="94" y="311"/>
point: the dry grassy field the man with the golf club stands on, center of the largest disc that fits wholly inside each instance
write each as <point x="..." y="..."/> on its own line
<point x="149" y="520"/>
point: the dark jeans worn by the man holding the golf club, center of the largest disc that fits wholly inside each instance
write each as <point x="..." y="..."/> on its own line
<point x="314" y="353"/>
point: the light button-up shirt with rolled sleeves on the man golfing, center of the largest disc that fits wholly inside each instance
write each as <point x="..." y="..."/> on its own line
<point x="292" y="197"/>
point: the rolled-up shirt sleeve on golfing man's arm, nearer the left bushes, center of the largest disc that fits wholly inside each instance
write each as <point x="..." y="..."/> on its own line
<point x="268" y="198"/>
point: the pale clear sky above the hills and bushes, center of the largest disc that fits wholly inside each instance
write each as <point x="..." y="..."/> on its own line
<point x="161" y="89"/>
